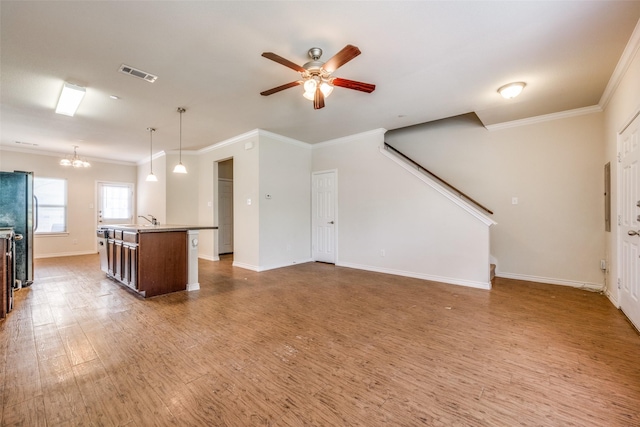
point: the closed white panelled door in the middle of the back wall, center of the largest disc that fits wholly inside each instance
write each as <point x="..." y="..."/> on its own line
<point x="323" y="222"/>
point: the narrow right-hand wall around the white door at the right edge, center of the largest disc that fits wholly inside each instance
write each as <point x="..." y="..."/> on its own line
<point x="623" y="105"/>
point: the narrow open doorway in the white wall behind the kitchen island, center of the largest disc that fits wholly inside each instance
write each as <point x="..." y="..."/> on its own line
<point x="225" y="207"/>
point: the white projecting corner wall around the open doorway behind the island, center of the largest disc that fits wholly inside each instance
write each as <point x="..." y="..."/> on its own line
<point x="268" y="233"/>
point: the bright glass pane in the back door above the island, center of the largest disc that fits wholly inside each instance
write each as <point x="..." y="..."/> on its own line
<point x="115" y="203"/>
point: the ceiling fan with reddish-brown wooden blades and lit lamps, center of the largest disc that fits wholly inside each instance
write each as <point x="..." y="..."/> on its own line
<point x="316" y="75"/>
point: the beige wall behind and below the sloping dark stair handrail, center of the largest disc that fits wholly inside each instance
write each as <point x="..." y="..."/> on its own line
<point x="555" y="233"/>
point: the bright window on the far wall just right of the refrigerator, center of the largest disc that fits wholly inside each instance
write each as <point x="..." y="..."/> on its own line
<point x="51" y="194"/>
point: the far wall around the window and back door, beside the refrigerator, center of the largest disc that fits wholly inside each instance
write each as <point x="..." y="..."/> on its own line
<point x="81" y="198"/>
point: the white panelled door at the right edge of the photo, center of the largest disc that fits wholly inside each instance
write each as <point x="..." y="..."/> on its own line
<point x="629" y="225"/>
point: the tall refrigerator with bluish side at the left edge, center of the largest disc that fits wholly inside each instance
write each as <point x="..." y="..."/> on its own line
<point x="18" y="208"/>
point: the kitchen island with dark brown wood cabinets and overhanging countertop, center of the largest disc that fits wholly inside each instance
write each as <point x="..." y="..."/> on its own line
<point x="151" y="259"/>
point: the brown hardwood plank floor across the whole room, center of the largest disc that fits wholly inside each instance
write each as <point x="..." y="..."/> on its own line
<point x="313" y="344"/>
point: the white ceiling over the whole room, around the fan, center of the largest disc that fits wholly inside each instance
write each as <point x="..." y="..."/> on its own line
<point x="428" y="60"/>
